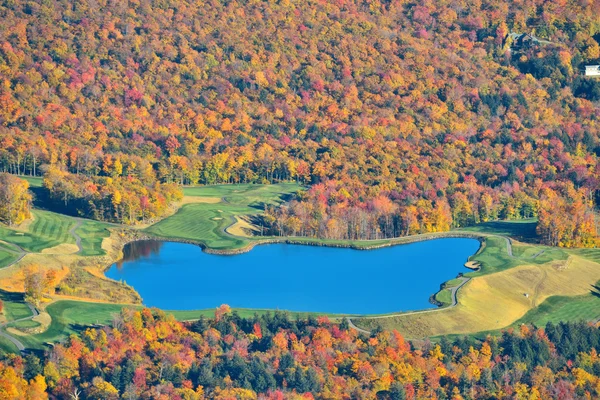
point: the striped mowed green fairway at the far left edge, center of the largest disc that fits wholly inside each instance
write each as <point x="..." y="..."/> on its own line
<point x="48" y="229"/>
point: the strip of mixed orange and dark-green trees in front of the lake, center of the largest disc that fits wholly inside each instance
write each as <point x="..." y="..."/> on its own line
<point x="148" y="355"/>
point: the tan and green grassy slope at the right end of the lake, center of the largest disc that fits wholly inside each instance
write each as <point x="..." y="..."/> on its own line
<point x="535" y="285"/>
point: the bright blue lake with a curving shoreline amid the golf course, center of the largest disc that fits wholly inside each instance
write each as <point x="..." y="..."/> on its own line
<point x="176" y="276"/>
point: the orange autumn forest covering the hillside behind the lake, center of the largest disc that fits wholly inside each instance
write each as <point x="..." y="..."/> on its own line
<point x="406" y="117"/>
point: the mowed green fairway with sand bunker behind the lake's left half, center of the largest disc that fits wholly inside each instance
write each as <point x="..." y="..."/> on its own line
<point x="206" y="222"/>
